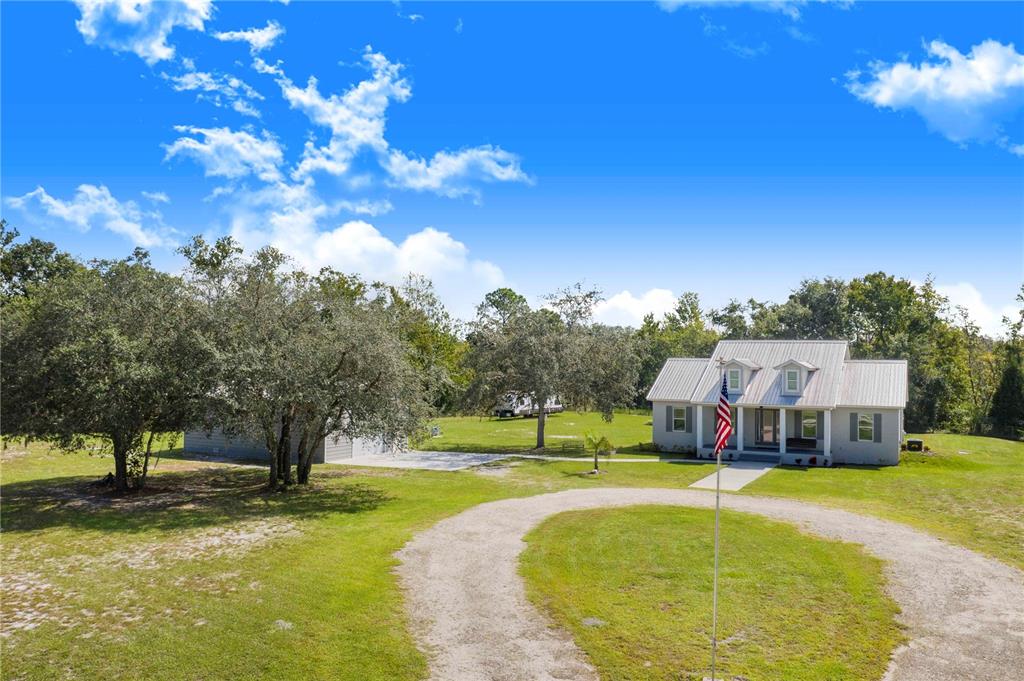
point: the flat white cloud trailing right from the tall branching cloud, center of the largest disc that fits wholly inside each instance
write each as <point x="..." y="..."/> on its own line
<point x="450" y="174"/>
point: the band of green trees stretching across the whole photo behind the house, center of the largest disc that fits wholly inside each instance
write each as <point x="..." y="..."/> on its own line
<point x="118" y="352"/>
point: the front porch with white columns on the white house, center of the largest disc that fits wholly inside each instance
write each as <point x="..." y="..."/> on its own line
<point x="779" y="435"/>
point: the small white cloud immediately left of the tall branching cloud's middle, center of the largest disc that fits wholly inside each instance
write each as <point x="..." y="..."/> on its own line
<point x="225" y="153"/>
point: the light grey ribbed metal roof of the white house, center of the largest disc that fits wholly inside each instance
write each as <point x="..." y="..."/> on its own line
<point x="836" y="381"/>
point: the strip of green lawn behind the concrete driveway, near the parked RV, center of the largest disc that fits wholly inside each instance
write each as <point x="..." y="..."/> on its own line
<point x="564" y="434"/>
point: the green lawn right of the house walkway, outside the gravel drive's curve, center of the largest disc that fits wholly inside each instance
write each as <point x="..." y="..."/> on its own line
<point x="974" y="499"/>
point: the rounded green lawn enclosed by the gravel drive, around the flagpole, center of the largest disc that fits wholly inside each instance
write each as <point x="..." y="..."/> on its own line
<point x="792" y="607"/>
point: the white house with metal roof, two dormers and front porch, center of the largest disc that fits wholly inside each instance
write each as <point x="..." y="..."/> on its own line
<point x="804" y="403"/>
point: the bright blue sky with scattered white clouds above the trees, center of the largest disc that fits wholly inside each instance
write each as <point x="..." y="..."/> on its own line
<point x="648" y="149"/>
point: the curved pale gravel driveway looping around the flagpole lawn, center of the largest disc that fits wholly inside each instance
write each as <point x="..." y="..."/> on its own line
<point x="964" y="613"/>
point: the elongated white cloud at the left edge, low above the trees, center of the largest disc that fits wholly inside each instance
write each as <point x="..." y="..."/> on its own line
<point x="96" y="207"/>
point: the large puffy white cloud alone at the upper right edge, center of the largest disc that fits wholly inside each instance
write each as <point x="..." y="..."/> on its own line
<point x="964" y="97"/>
